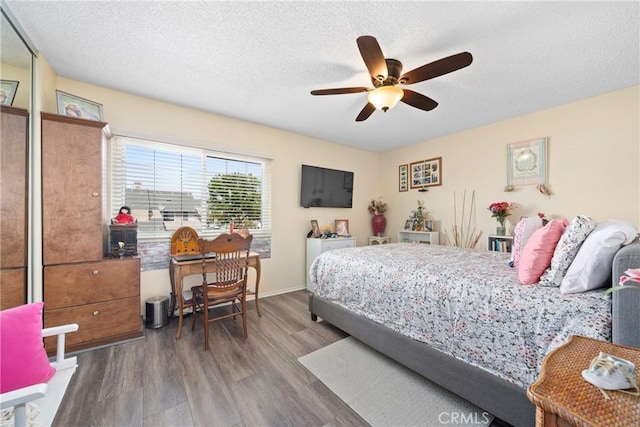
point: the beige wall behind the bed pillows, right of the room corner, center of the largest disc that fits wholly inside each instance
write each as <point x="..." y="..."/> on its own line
<point x="593" y="151"/>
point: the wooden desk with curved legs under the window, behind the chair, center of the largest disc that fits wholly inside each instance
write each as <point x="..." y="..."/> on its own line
<point x="182" y="266"/>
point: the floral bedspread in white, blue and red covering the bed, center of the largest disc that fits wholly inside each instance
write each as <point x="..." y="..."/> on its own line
<point x="466" y="303"/>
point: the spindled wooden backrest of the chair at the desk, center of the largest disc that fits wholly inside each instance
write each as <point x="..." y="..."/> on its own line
<point x="231" y="252"/>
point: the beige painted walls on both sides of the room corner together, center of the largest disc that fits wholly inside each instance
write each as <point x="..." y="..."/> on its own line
<point x="593" y="151"/>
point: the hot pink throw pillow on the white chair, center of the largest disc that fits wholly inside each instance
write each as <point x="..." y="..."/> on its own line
<point x="23" y="360"/>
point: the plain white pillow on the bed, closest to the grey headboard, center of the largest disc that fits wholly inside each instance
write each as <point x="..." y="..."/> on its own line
<point x="592" y="265"/>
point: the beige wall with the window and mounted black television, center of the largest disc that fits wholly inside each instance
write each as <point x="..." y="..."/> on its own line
<point x="285" y="270"/>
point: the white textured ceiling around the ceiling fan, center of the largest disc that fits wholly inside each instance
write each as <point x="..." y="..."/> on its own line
<point x="258" y="61"/>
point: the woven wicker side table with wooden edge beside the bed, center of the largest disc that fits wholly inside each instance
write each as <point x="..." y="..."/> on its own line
<point x="563" y="398"/>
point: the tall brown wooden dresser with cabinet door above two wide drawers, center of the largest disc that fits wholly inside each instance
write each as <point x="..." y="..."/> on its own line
<point x="81" y="286"/>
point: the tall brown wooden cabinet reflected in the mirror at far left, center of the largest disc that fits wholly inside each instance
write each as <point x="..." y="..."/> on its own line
<point x="14" y="125"/>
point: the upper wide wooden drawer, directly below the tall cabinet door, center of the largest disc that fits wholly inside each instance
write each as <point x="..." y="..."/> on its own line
<point x="85" y="283"/>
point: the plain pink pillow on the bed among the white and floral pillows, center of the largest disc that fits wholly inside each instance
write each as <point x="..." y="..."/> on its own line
<point x="537" y="253"/>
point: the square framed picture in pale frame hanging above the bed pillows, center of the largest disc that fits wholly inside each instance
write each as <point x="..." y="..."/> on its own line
<point x="527" y="162"/>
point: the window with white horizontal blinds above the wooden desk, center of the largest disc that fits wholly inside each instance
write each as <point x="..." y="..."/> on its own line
<point x="168" y="186"/>
